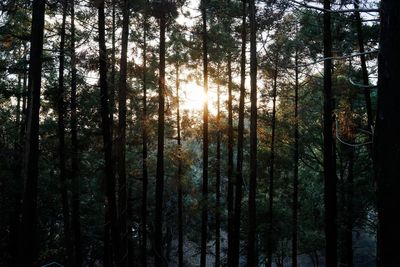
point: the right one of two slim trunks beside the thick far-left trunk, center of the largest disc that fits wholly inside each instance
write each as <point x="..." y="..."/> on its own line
<point x="76" y="223"/>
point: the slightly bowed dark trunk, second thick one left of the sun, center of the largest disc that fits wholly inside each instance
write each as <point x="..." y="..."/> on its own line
<point x="122" y="183"/>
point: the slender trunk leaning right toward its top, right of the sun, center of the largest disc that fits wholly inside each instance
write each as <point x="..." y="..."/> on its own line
<point x="239" y="161"/>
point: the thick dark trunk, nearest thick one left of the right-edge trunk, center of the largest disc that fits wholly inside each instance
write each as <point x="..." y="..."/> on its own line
<point x="329" y="155"/>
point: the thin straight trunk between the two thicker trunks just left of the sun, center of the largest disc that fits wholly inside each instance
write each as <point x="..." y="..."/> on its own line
<point x="144" y="149"/>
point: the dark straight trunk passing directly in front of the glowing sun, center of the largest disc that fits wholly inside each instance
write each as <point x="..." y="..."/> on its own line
<point x="204" y="213"/>
